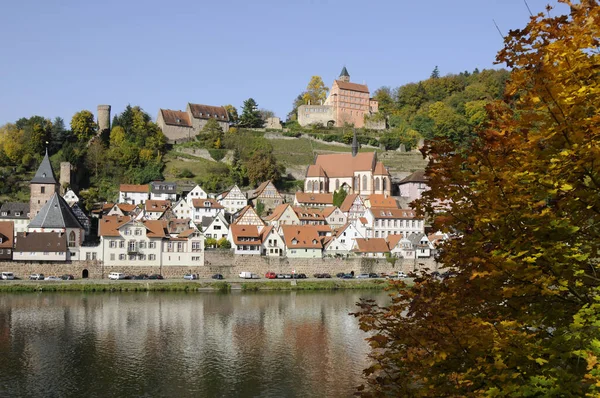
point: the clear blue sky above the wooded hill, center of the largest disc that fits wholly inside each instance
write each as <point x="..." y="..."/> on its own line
<point x="62" y="56"/>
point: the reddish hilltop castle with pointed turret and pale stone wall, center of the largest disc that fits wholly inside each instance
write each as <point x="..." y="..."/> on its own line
<point x="347" y="103"/>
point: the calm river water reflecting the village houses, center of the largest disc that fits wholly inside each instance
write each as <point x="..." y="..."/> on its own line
<point x="292" y="344"/>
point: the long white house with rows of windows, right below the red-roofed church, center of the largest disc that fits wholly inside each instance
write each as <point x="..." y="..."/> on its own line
<point x="384" y="222"/>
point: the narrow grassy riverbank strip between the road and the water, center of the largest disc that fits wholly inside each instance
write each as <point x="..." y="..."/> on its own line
<point x="189" y="286"/>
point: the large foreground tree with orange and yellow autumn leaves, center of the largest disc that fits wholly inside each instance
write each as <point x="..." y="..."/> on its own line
<point x="520" y="314"/>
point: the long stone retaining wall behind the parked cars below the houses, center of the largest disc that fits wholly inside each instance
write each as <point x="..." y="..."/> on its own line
<point x="225" y="263"/>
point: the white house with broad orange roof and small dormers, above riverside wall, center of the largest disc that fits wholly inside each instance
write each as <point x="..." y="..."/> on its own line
<point x="302" y="241"/>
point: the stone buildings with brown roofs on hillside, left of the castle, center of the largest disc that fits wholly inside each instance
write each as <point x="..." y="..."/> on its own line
<point x="182" y="126"/>
